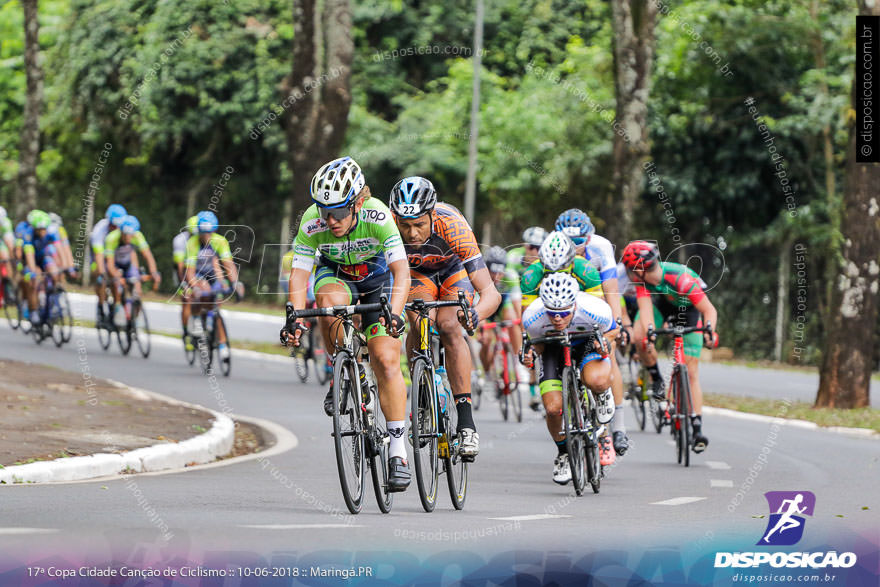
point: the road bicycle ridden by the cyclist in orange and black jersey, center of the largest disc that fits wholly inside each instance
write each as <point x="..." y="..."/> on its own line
<point x="433" y="413"/>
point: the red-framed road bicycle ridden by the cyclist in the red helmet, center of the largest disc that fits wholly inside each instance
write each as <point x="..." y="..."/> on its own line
<point x="679" y="406"/>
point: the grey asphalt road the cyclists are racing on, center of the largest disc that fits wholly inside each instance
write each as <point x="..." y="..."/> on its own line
<point x="291" y="503"/>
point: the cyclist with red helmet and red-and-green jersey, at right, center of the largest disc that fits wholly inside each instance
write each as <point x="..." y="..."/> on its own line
<point x="669" y="292"/>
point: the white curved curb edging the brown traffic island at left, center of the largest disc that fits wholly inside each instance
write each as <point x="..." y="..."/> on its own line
<point x="204" y="448"/>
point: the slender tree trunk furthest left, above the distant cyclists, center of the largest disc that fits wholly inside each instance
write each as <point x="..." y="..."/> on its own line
<point x="29" y="153"/>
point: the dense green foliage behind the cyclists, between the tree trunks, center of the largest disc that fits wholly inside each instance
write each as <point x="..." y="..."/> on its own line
<point x="546" y="132"/>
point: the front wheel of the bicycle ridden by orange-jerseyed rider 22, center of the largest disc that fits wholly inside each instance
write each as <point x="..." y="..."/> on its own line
<point x="426" y="460"/>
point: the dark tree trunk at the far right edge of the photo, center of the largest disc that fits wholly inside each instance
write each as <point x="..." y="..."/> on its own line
<point x="845" y="378"/>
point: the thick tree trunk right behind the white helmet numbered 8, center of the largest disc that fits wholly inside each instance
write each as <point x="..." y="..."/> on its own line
<point x="317" y="92"/>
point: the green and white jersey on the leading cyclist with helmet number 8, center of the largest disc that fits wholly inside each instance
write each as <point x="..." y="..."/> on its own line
<point x="366" y="251"/>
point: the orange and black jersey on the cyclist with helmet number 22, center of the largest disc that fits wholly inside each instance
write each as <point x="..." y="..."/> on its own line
<point x="451" y="241"/>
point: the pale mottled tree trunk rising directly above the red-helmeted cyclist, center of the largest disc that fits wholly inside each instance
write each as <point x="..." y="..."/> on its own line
<point x="633" y="22"/>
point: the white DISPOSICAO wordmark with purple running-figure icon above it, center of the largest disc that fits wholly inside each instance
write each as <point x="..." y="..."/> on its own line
<point x="786" y="528"/>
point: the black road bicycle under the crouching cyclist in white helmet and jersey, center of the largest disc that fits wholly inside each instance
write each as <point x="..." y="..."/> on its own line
<point x="580" y="417"/>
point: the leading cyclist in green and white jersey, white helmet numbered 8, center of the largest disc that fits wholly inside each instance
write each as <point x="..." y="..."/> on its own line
<point x="360" y="250"/>
